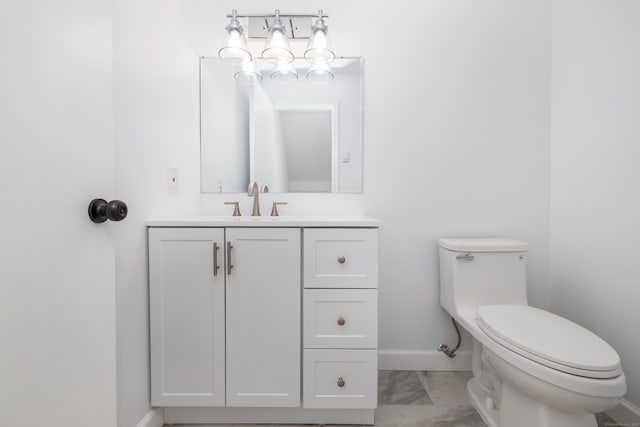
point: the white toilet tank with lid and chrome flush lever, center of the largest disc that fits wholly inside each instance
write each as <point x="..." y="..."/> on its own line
<point x="476" y="272"/>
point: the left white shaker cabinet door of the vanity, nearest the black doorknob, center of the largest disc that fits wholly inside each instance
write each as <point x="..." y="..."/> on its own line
<point x="187" y="317"/>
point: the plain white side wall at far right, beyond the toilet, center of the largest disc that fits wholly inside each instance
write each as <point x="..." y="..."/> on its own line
<point x="595" y="173"/>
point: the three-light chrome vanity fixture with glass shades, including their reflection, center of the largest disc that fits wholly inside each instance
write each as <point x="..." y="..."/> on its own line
<point x="278" y="29"/>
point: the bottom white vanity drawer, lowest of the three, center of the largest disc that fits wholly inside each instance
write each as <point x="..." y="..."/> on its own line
<point x="340" y="379"/>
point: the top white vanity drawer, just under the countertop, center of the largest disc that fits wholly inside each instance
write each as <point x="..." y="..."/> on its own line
<point x="341" y="258"/>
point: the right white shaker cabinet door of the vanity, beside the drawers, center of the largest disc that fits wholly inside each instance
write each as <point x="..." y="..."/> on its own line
<point x="263" y="317"/>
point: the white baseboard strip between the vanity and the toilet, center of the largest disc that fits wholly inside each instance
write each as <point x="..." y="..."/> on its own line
<point x="422" y="360"/>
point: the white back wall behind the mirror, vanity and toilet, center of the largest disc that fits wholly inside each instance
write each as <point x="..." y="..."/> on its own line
<point x="456" y="143"/>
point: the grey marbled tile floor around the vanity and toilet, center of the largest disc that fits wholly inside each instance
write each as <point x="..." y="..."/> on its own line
<point x="427" y="399"/>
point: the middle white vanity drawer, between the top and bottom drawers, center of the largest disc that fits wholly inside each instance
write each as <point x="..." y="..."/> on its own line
<point x="340" y="318"/>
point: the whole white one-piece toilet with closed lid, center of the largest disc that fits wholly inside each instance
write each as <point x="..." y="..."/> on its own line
<point x="531" y="368"/>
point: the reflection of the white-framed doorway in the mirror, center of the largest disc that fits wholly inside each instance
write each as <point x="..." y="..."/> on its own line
<point x="310" y="141"/>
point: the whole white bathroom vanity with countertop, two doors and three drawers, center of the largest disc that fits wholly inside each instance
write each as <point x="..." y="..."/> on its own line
<point x="264" y="319"/>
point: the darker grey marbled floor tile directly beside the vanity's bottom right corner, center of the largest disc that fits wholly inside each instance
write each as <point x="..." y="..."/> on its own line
<point x="401" y="388"/>
